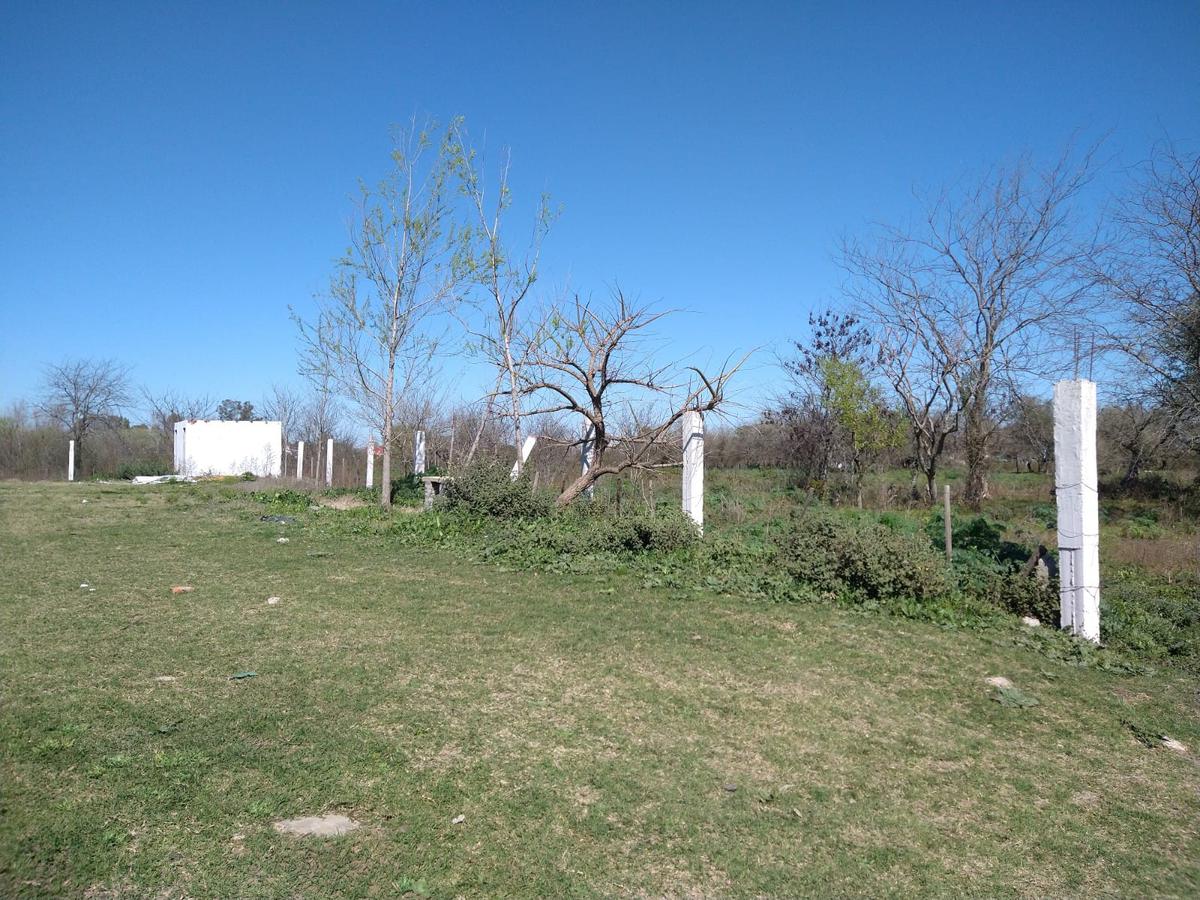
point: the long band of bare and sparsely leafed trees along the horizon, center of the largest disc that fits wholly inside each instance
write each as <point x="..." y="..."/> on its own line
<point x="941" y="346"/>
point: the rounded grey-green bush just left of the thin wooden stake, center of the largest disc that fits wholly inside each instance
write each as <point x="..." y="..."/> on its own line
<point x="865" y="560"/>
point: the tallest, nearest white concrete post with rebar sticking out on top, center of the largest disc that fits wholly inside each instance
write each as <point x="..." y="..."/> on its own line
<point x="1079" y="511"/>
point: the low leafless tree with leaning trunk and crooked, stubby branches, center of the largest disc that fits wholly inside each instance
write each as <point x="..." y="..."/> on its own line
<point x="591" y="361"/>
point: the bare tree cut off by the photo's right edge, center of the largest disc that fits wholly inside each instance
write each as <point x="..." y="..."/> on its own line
<point x="1154" y="273"/>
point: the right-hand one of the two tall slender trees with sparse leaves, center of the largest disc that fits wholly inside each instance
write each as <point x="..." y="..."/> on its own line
<point x="503" y="280"/>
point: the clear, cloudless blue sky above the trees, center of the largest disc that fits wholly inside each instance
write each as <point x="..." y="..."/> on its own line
<point x="176" y="176"/>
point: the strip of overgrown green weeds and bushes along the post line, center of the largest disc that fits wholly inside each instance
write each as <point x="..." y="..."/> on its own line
<point x="797" y="553"/>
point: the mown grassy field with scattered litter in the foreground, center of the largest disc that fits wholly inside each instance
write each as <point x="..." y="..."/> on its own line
<point x="598" y="737"/>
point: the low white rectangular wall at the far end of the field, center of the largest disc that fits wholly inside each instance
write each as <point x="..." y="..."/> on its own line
<point x="217" y="448"/>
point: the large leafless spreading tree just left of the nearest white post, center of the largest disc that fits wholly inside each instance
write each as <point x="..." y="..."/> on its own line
<point x="989" y="283"/>
